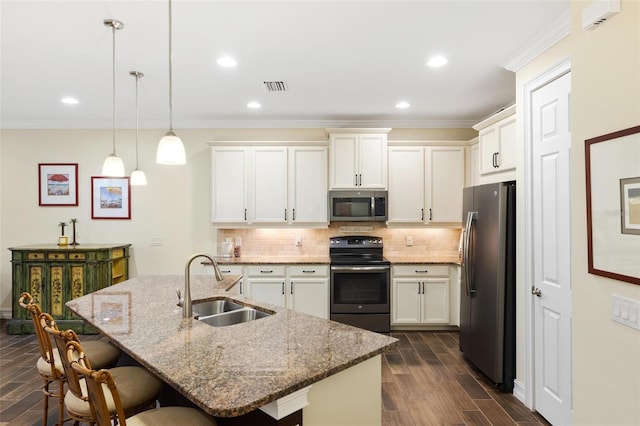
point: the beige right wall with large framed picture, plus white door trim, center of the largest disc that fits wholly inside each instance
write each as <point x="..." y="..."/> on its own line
<point x="605" y="97"/>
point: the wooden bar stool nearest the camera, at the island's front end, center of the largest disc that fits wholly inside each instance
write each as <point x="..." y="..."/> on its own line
<point x="106" y="403"/>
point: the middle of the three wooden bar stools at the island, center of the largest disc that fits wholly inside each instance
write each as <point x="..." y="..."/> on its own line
<point x="139" y="388"/>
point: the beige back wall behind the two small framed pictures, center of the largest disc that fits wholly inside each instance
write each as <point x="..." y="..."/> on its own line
<point x="173" y="206"/>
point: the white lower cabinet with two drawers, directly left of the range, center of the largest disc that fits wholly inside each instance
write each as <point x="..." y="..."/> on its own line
<point x="303" y="288"/>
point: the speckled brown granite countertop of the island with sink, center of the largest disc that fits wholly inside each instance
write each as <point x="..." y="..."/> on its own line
<point x="227" y="371"/>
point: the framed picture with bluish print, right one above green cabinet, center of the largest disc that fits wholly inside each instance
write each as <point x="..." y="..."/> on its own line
<point x="110" y="198"/>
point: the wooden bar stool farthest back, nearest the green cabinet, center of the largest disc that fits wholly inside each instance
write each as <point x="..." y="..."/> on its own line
<point x="49" y="364"/>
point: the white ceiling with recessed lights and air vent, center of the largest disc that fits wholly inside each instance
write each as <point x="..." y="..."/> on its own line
<point x="346" y="63"/>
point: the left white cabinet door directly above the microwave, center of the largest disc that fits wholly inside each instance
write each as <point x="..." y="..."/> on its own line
<point x="343" y="161"/>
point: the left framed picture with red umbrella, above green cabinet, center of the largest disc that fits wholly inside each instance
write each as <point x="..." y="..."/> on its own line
<point x="58" y="184"/>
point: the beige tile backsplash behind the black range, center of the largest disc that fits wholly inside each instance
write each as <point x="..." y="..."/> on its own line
<point x="315" y="242"/>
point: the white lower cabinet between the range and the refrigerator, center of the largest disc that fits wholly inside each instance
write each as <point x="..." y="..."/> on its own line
<point x="420" y="295"/>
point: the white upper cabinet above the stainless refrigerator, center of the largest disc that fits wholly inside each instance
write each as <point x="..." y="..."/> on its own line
<point x="497" y="142"/>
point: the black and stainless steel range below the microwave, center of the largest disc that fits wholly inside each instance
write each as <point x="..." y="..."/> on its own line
<point x="360" y="285"/>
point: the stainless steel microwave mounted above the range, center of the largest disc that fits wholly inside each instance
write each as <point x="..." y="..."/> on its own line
<point x="357" y="206"/>
